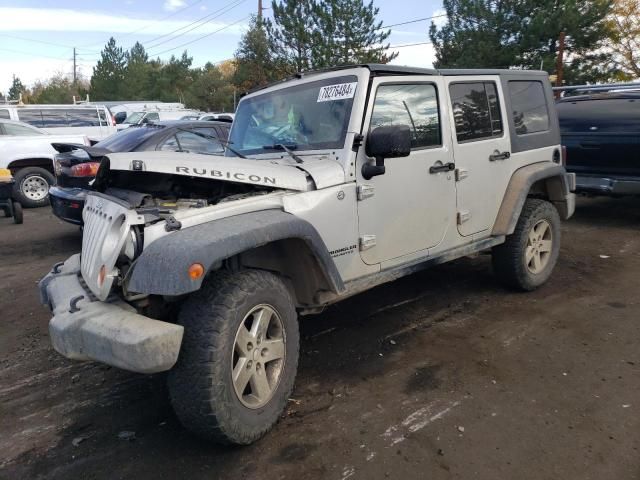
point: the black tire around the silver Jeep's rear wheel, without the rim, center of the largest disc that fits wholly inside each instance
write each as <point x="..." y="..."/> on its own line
<point x="509" y="261"/>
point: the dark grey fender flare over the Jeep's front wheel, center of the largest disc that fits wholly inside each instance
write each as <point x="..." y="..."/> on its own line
<point x="162" y="267"/>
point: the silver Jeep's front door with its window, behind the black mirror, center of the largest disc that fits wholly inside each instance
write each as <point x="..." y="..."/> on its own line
<point x="410" y="207"/>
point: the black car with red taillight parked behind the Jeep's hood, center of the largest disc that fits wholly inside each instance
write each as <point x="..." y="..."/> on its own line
<point x="77" y="165"/>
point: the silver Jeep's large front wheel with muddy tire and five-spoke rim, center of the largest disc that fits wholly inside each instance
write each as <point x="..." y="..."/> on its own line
<point x="239" y="357"/>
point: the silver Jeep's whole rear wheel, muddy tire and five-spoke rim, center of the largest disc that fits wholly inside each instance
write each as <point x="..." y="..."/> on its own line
<point x="527" y="257"/>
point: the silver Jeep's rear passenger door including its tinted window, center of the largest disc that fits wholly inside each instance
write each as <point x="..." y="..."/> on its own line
<point x="481" y="149"/>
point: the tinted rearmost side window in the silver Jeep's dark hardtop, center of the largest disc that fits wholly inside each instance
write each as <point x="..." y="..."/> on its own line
<point x="529" y="105"/>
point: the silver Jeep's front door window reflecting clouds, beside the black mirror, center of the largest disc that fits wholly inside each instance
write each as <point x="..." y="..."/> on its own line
<point x="415" y="105"/>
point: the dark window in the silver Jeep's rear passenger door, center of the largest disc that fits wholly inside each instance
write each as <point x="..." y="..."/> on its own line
<point x="476" y="110"/>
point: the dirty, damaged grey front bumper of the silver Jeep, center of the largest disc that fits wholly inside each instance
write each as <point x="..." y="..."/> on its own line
<point x="109" y="332"/>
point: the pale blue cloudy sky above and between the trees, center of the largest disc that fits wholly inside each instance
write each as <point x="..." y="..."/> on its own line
<point x="37" y="38"/>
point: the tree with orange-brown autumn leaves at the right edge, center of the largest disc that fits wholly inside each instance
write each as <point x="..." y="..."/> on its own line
<point x="625" y="41"/>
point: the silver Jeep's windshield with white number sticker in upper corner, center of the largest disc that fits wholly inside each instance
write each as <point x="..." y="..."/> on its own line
<point x="310" y="116"/>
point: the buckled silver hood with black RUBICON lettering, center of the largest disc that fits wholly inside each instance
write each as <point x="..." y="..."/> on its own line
<point x="269" y="173"/>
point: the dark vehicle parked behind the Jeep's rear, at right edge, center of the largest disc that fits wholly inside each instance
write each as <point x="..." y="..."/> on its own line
<point x="601" y="134"/>
